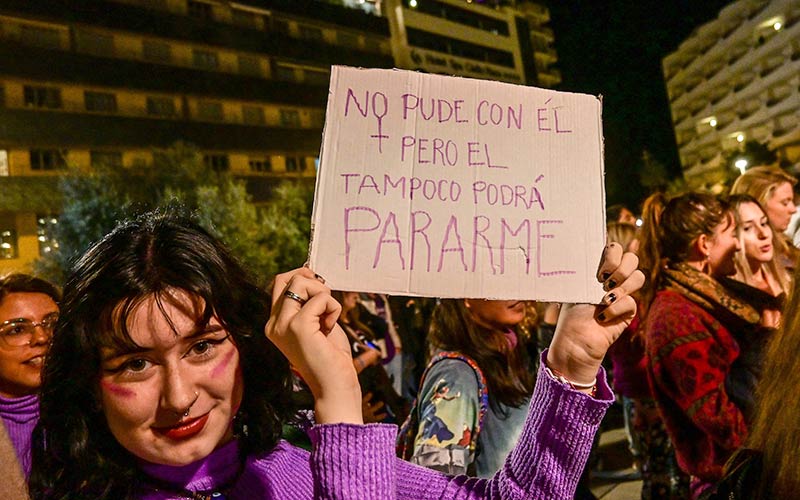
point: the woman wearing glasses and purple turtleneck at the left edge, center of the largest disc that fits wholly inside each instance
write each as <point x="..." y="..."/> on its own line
<point x="28" y="313"/>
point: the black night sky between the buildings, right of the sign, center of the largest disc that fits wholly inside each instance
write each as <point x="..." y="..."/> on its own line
<point x="615" y="48"/>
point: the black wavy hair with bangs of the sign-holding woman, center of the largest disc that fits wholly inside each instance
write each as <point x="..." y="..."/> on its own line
<point x="74" y="452"/>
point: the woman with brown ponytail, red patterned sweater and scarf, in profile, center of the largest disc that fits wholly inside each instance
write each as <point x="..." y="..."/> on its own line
<point x="689" y="245"/>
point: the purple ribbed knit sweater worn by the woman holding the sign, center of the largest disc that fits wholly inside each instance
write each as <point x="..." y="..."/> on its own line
<point x="358" y="462"/>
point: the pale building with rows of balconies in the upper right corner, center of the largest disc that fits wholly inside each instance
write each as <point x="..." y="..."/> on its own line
<point x="736" y="79"/>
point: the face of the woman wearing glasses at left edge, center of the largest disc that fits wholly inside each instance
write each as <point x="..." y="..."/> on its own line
<point x="26" y="327"/>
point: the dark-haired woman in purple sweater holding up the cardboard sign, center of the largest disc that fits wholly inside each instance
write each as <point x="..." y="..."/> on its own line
<point x="161" y="383"/>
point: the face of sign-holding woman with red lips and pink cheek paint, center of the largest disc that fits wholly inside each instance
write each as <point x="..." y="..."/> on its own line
<point x="172" y="401"/>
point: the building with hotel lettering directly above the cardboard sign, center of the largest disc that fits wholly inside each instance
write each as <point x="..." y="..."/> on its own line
<point x="474" y="39"/>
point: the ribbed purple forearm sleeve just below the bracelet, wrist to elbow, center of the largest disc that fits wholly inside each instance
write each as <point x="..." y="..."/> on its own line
<point x="558" y="435"/>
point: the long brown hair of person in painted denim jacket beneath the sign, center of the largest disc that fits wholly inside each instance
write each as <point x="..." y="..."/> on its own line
<point x="509" y="379"/>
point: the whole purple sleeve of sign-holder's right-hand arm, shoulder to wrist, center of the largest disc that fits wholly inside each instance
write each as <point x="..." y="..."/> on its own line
<point x="547" y="461"/>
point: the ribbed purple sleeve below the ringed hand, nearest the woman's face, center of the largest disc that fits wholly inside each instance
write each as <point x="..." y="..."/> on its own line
<point x="353" y="461"/>
